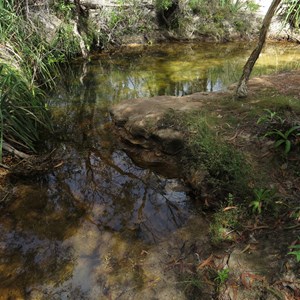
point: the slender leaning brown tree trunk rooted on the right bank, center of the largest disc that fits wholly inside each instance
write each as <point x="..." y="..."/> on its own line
<point x="242" y="90"/>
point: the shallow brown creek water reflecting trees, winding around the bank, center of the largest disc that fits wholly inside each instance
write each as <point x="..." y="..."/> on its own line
<point x="98" y="226"/>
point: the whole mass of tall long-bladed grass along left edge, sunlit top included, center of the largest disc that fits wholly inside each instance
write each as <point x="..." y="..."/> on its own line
<point x="27" y="63"/>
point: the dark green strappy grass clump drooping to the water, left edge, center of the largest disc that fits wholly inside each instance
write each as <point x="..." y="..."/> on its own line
<point x="22" y="114"/>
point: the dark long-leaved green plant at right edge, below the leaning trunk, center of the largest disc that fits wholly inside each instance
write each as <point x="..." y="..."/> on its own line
<point x="284" y="138"/>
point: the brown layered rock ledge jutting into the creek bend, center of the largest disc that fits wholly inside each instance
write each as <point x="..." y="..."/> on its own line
<point x="145" y="134"/>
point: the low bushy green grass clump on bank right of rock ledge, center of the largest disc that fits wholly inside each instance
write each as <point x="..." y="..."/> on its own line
<point x="225" y="169"/>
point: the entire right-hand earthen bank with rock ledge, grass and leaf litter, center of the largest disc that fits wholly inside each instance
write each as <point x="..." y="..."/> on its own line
<point x="253" y="188"/>
